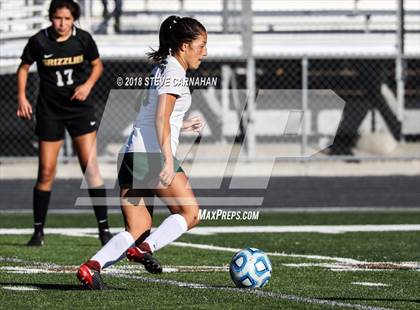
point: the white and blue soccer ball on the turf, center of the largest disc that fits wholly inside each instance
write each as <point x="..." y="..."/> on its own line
<point x="250" y="268"/>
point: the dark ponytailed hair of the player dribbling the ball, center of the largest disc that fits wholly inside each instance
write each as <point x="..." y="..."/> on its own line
<point x="173" y="32"/>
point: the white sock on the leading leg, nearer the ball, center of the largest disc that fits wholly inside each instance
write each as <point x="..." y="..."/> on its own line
<point x="170" y="230"/>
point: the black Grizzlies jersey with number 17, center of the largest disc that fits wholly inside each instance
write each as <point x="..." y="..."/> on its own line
<point x="62" y="66"/>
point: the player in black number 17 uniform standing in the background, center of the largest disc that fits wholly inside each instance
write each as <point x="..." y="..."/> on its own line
<point x="63" y="54"/>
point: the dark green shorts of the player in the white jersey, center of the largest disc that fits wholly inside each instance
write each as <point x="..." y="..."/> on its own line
<point x="141" y="170"/>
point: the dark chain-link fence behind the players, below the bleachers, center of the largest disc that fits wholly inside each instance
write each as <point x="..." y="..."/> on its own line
<point x="367" y="86"/>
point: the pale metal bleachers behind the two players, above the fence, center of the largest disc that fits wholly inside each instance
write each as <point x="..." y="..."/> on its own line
<point x="282" y="28"/>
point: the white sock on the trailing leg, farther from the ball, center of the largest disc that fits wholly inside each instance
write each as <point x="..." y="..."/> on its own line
<point x="114" y="250"/>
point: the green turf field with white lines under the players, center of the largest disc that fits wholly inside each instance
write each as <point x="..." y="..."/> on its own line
<point x="310" y="270"/>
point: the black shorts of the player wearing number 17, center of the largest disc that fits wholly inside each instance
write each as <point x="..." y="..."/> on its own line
<point x="54" y="129"/>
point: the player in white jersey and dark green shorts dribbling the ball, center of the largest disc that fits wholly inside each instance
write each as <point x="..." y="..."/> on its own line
<point x="147" y="162"/>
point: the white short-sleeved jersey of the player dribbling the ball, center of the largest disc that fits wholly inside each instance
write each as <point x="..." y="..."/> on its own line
<point x="169" y="78"/>
